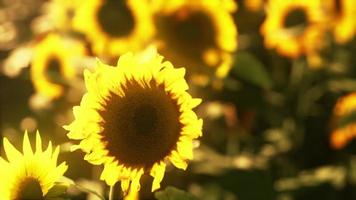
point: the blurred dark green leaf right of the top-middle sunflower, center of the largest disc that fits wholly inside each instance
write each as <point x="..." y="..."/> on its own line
<point x="249" y="69"/>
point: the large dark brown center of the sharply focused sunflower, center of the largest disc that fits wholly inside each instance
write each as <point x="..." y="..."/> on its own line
<point x="142" y="127"/>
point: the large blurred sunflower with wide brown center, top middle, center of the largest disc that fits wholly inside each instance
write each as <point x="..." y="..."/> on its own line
<point x="200" y="34"/>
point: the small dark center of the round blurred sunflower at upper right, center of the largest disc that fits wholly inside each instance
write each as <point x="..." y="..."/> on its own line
<point x="296" y="17"/>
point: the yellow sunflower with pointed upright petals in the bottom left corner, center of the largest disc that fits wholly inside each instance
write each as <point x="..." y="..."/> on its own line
<point x="30" y="175"/>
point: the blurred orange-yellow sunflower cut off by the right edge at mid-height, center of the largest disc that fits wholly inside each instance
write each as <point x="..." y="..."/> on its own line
<point x="344" y="109"/>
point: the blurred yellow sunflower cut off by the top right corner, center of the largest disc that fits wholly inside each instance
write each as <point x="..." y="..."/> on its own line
<point x="343" y="17"/>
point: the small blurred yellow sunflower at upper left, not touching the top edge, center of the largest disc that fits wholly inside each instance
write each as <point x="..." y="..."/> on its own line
<point x="54" y="55"/>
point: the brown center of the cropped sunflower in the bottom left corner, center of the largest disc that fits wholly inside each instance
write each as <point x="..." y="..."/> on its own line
<point x="29" y="189"/>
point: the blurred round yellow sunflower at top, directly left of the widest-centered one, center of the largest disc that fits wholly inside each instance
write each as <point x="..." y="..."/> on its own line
<point x="114" y="26"/>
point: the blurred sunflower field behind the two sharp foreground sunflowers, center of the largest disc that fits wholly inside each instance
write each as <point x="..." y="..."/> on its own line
<point x="277" y="79"/>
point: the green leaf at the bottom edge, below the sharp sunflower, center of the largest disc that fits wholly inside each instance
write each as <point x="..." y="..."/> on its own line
<point x="172" y="193"/>
